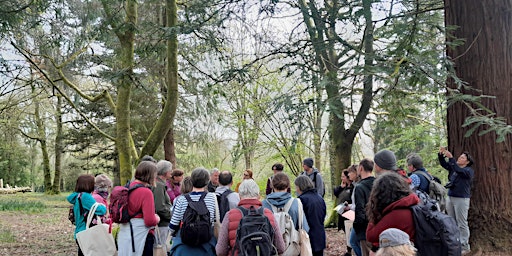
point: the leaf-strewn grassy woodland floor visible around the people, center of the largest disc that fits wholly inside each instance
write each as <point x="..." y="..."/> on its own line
<point x="50" y="233"/>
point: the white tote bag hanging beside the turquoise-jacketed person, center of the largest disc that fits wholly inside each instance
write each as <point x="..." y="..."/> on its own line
<point x="96" y="241"/>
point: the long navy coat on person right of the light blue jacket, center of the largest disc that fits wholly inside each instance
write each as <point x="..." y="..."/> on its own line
<point x="315" y="211"/>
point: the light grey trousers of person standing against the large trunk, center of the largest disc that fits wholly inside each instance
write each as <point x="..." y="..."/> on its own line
<point x="458" y="208"/>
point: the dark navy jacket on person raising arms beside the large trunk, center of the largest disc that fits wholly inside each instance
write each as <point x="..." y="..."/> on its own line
<point x="461" y="178"/>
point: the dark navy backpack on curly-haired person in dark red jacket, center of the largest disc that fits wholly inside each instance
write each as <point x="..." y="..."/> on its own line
<point x="435" y="232"/>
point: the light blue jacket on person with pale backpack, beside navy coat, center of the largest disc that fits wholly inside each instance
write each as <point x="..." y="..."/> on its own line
<point x="279" y="199"/>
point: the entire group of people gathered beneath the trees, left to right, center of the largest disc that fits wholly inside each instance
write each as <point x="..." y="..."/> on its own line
<point x="162" y="197"/>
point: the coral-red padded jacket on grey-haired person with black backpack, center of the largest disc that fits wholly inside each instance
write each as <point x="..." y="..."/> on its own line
<point x="227" y="233"/>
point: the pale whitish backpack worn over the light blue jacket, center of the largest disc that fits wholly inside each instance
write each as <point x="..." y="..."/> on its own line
<point x="290" y="235"/>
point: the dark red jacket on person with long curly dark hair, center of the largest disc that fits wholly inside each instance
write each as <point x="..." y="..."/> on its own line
<point x="396" y="215"/>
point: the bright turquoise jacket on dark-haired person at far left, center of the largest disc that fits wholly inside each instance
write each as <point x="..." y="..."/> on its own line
<point x="87" y="202"/>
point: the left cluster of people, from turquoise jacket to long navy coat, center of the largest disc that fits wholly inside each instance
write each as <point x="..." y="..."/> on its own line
<point x="159" y="199"/>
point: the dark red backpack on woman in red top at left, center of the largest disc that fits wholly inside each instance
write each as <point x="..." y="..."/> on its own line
<point x="118" y="208"/>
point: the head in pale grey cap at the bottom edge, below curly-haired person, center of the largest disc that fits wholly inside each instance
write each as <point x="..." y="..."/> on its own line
<point x="395" y="242"/>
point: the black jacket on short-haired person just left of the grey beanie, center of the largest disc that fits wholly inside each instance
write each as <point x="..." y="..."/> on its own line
<point x="361" y="196"/>
